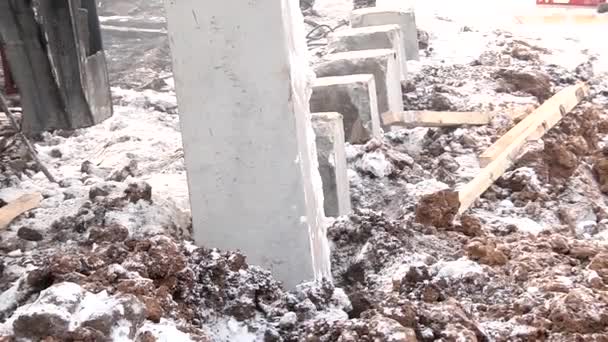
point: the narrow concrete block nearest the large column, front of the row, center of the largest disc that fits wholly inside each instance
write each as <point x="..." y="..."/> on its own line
<point x="332" y="163"/>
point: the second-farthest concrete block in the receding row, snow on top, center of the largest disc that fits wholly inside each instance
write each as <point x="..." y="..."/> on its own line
<point x="370" y="38"/>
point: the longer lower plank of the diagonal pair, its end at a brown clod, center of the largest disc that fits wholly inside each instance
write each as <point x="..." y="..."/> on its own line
<point x="543" y="118"/>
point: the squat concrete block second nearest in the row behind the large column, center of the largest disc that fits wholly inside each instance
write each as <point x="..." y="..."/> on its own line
<point x="355" y="97"/>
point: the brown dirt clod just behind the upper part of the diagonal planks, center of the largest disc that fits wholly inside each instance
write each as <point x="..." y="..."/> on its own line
<point x="535" y="83"/>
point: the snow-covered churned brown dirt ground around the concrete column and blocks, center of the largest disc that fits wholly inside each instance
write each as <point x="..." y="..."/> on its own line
<point x="107" y="254"/>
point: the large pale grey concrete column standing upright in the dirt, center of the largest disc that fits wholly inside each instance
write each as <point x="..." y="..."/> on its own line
<point x="243" y="86"/>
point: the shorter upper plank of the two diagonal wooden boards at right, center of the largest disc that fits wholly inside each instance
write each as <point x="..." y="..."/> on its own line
<point x="541" y="120"/>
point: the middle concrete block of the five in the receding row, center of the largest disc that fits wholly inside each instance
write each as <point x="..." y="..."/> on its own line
<point x="381" y="63"/>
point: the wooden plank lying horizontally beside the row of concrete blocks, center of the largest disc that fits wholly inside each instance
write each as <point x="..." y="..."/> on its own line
<point x="434" y="119"/>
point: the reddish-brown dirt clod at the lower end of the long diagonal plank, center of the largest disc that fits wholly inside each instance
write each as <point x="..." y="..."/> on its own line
<point x="438" y="209"/>
